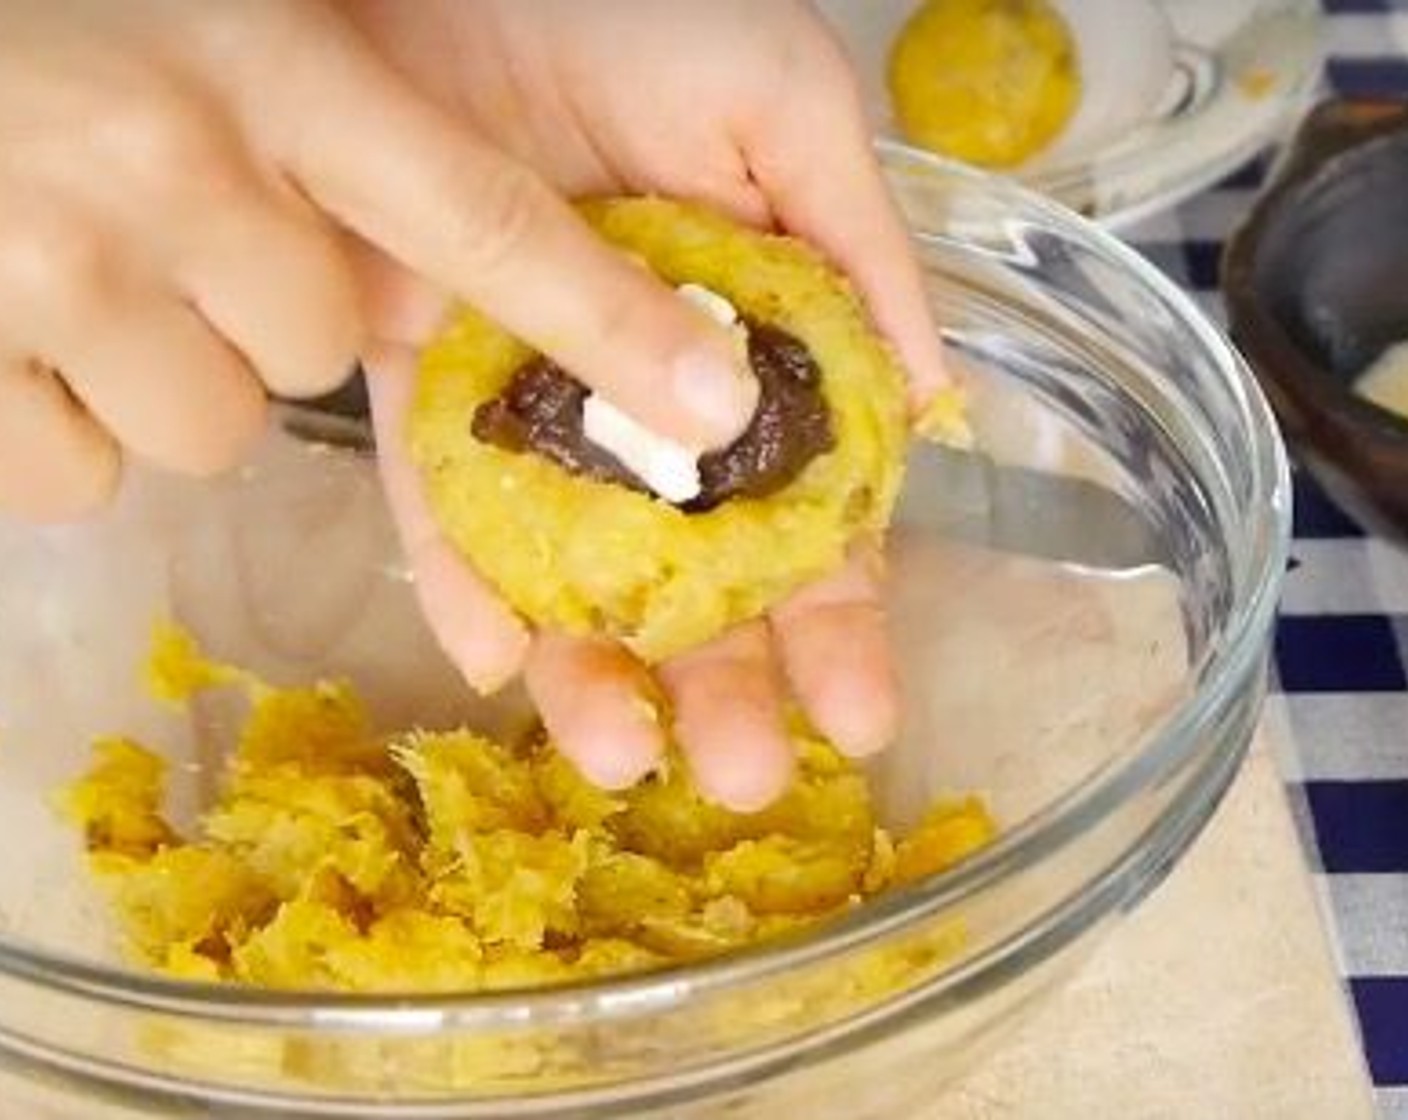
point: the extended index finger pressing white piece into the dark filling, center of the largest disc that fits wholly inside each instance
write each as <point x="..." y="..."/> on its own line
<point x="412" y="181"/>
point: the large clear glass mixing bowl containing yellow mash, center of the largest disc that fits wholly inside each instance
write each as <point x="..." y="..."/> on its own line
<point x="1082" y="611"/>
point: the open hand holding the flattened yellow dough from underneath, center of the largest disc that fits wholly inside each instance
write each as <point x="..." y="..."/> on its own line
<point x="743" y="105"/>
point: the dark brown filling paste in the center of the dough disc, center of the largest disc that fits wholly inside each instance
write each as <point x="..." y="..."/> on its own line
<point x="540" y="411"/>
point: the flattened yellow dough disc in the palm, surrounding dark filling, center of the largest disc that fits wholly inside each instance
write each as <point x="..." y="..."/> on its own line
<point x="596" y="557"/>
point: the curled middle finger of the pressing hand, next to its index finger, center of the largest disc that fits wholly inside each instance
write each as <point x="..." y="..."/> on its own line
<point x="279" y="288"/>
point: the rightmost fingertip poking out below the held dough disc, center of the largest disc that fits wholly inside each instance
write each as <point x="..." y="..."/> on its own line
<point x="837" y="656"/>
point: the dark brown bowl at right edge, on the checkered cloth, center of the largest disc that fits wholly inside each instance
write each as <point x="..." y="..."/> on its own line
<point x="1317" y="288"/>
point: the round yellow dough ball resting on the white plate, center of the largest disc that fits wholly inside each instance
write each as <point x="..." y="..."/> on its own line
<point x="991" y="82"/>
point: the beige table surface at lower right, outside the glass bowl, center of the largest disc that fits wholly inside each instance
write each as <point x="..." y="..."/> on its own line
<point x="1217" y="1000"/>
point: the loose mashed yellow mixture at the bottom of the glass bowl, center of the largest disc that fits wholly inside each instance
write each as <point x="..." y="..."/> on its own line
<point x="339" y="859"/>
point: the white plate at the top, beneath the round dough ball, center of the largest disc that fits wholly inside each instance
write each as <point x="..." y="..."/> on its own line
<point x="1176" y="94"/>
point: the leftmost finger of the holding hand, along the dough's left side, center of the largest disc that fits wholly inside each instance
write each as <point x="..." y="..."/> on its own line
<point x="482" y="636"/>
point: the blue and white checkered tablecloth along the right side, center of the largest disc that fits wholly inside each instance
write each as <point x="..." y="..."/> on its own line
<point x="1340" y="709"/>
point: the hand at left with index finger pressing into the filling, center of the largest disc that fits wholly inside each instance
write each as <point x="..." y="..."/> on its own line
<point x="185" y="195"/>
